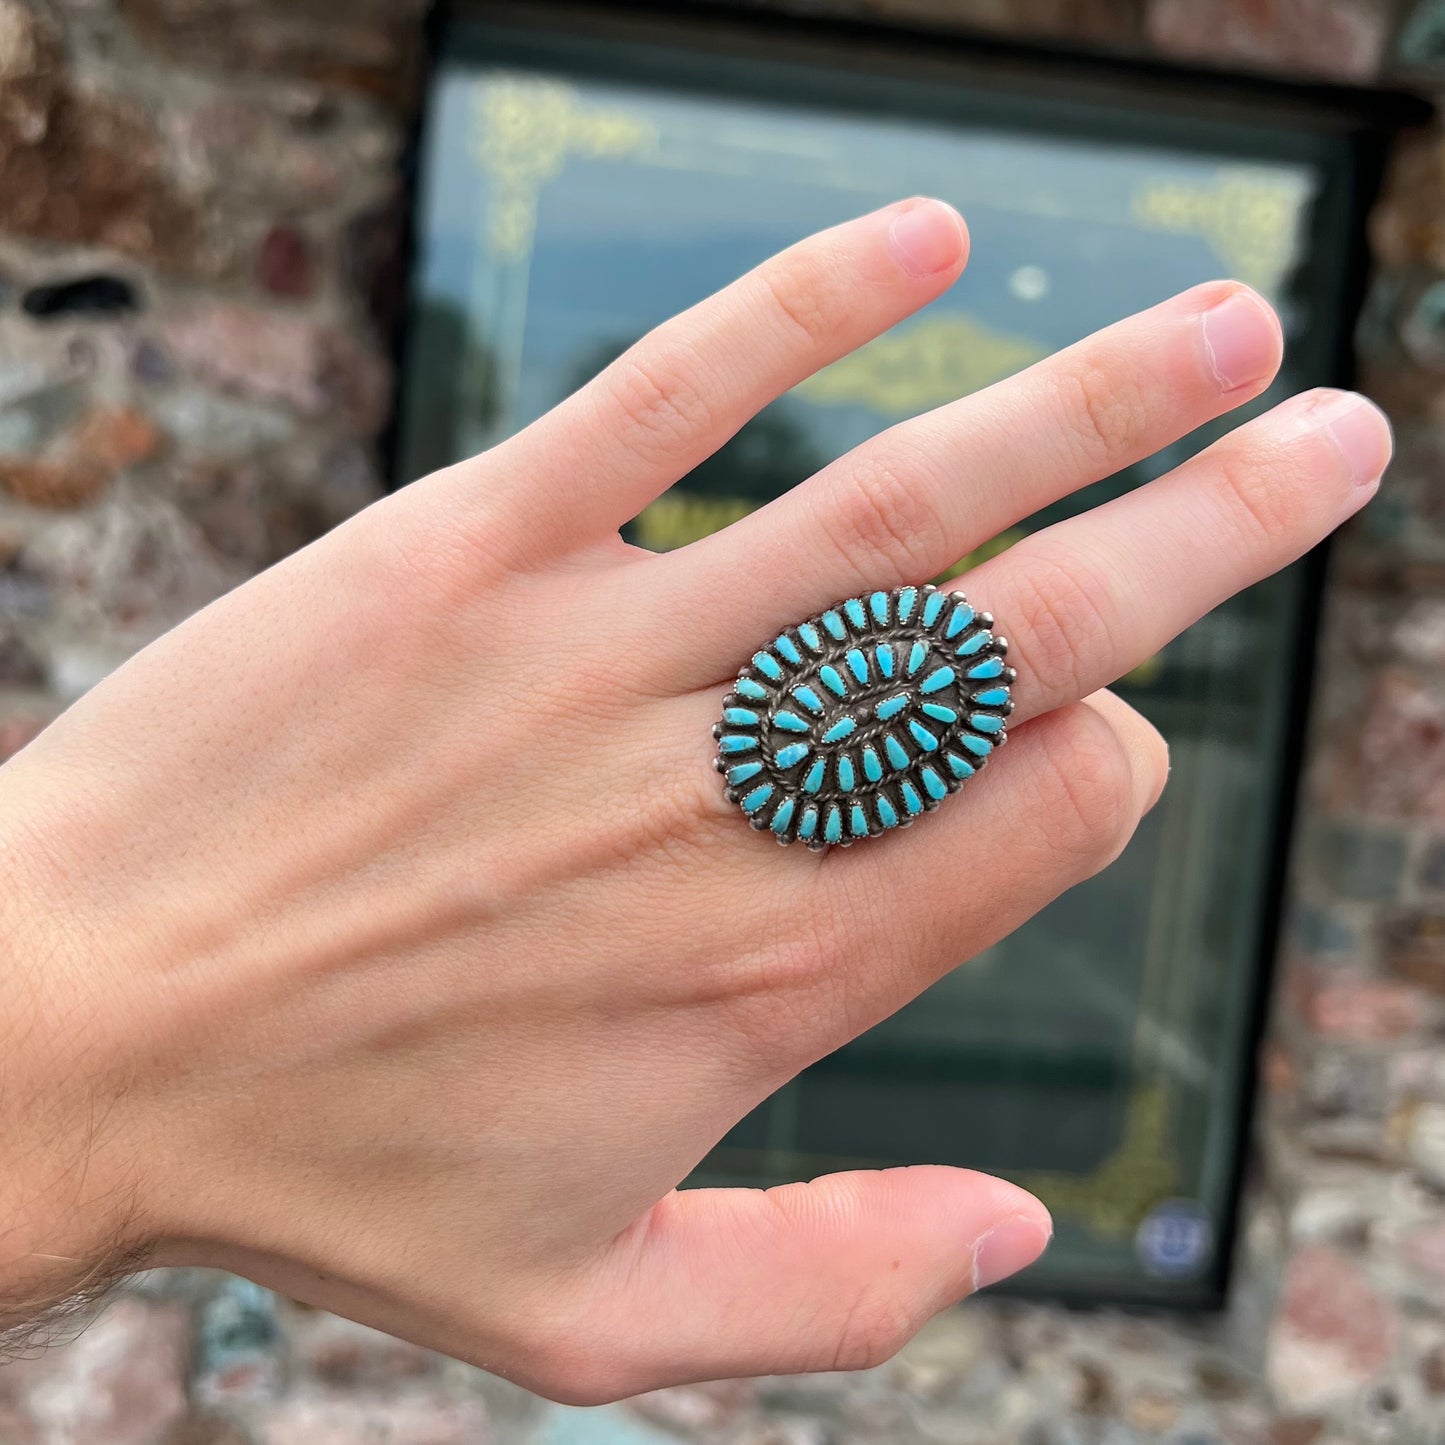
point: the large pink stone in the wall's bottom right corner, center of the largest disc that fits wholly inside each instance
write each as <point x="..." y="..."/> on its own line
<point x="1333" y="1330"/>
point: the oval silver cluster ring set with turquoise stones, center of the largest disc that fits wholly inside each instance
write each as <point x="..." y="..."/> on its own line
<point x="865" y="717"/>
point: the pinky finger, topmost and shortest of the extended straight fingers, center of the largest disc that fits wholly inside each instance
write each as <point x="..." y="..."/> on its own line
<point x="664" y="407"/>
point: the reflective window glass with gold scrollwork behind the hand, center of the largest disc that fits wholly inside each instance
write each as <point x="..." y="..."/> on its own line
<point x="1097" y="1054"/>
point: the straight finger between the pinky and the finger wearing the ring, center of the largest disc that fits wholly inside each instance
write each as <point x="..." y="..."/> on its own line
<point x="913" y="501"/>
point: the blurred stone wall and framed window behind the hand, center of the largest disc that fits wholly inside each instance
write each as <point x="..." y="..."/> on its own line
<point x="262" y="261"/>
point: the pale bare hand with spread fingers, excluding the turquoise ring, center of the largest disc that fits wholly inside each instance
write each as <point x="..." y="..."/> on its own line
<point x="382" y="933"/>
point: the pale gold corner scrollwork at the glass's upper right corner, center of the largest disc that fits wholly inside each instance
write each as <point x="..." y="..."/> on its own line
<point x="1249" y="220"/>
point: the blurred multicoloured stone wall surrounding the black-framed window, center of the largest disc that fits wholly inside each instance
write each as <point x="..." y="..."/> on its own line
<point x="197" y="288"/>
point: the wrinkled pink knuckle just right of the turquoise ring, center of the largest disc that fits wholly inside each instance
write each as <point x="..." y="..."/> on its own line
<point x="1060" y="621"/>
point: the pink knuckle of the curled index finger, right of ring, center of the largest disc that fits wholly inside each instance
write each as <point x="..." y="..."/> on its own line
<point x="1090" y="788"/>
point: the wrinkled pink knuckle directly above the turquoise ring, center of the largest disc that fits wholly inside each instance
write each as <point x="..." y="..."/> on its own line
<point x="889" y="524"/>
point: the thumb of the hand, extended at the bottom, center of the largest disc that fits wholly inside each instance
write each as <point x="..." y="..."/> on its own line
<point x="832" y="1275"/>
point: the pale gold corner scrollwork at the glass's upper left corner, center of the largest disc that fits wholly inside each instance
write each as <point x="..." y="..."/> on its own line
<point x="525" y="129"/>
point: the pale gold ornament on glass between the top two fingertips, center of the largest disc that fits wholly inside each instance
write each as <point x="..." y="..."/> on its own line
<point x="924" y="365"/>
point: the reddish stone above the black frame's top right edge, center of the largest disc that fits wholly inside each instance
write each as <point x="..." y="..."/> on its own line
<point x="1337" y="40"/>
